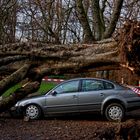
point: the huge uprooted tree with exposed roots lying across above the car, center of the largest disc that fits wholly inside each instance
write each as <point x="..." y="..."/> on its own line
<point x="27" y="63"/>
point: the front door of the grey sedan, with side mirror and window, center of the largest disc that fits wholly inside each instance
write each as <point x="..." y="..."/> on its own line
<point x="64" y="98"/>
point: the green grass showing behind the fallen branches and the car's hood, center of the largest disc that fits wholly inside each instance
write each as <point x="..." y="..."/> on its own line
<point x="44" y="87"/>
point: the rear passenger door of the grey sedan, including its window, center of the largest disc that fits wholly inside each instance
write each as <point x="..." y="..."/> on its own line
<point x="91" y="95"/>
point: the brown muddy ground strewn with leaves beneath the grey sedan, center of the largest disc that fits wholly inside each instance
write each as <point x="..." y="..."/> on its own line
<point x="87" y="127"/>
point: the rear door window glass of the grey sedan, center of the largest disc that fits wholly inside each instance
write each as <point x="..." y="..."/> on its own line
<point x="92" y="85"/>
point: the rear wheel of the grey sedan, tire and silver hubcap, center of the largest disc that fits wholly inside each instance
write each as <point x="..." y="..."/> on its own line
<point x="114" y="112"/>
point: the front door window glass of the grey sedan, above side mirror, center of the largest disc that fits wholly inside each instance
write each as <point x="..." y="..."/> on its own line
<point x="68" y="87"/>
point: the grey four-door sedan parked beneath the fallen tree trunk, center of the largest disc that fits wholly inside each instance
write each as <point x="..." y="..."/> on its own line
<point x="83" y="95"/>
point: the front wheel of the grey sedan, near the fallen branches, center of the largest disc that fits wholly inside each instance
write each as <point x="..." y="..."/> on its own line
<point x="33" y="111"/>
